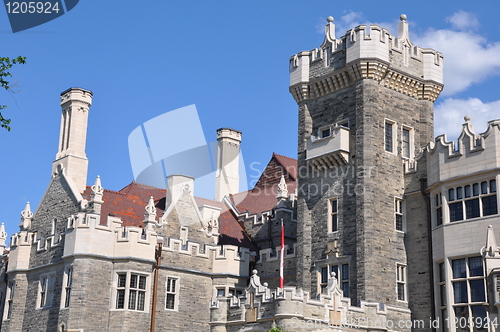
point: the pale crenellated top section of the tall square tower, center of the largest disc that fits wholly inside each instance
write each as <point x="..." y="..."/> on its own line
<point x="367" y="52"/>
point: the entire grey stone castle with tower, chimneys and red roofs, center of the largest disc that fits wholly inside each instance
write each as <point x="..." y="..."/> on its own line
<point x="385" y="228"/>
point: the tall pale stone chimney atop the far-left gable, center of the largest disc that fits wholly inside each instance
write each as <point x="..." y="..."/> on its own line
<point x="75" y="104"/>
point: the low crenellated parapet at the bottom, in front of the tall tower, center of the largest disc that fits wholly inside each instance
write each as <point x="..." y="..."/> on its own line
<point x="293" y="309"/>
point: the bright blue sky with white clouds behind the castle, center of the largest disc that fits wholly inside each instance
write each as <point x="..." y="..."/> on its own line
<point x="230" y="58"/>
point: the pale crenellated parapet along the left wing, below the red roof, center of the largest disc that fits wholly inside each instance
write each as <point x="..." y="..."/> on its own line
<point x="86" y="236"/>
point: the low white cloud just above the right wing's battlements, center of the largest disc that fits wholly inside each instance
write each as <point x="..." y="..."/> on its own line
<point x="449" y="115"/>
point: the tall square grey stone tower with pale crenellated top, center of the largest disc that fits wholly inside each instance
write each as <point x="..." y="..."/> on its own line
<point x="365" y="108"/>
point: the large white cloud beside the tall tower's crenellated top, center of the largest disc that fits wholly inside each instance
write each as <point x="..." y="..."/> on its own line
<point x="468" y="57"/>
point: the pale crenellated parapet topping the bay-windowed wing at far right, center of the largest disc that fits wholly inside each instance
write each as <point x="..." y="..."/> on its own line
<point x="471" y="154"/>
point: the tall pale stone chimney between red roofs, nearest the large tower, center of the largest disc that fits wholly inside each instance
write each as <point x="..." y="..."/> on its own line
<point x="227" y="179"/>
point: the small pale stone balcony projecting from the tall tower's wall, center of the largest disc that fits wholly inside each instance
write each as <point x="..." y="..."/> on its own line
<point x="330" y="151"/>
